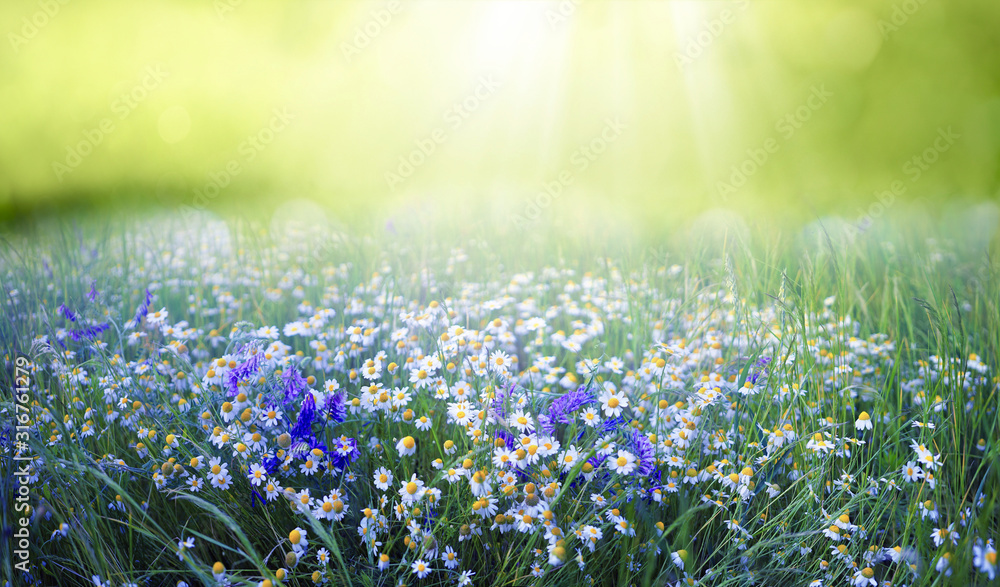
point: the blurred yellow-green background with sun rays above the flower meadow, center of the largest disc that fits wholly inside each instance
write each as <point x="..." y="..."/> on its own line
<point x="646" y="112"/>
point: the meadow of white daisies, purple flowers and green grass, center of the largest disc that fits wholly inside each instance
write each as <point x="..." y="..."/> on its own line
<point x="212" y="403"/>
